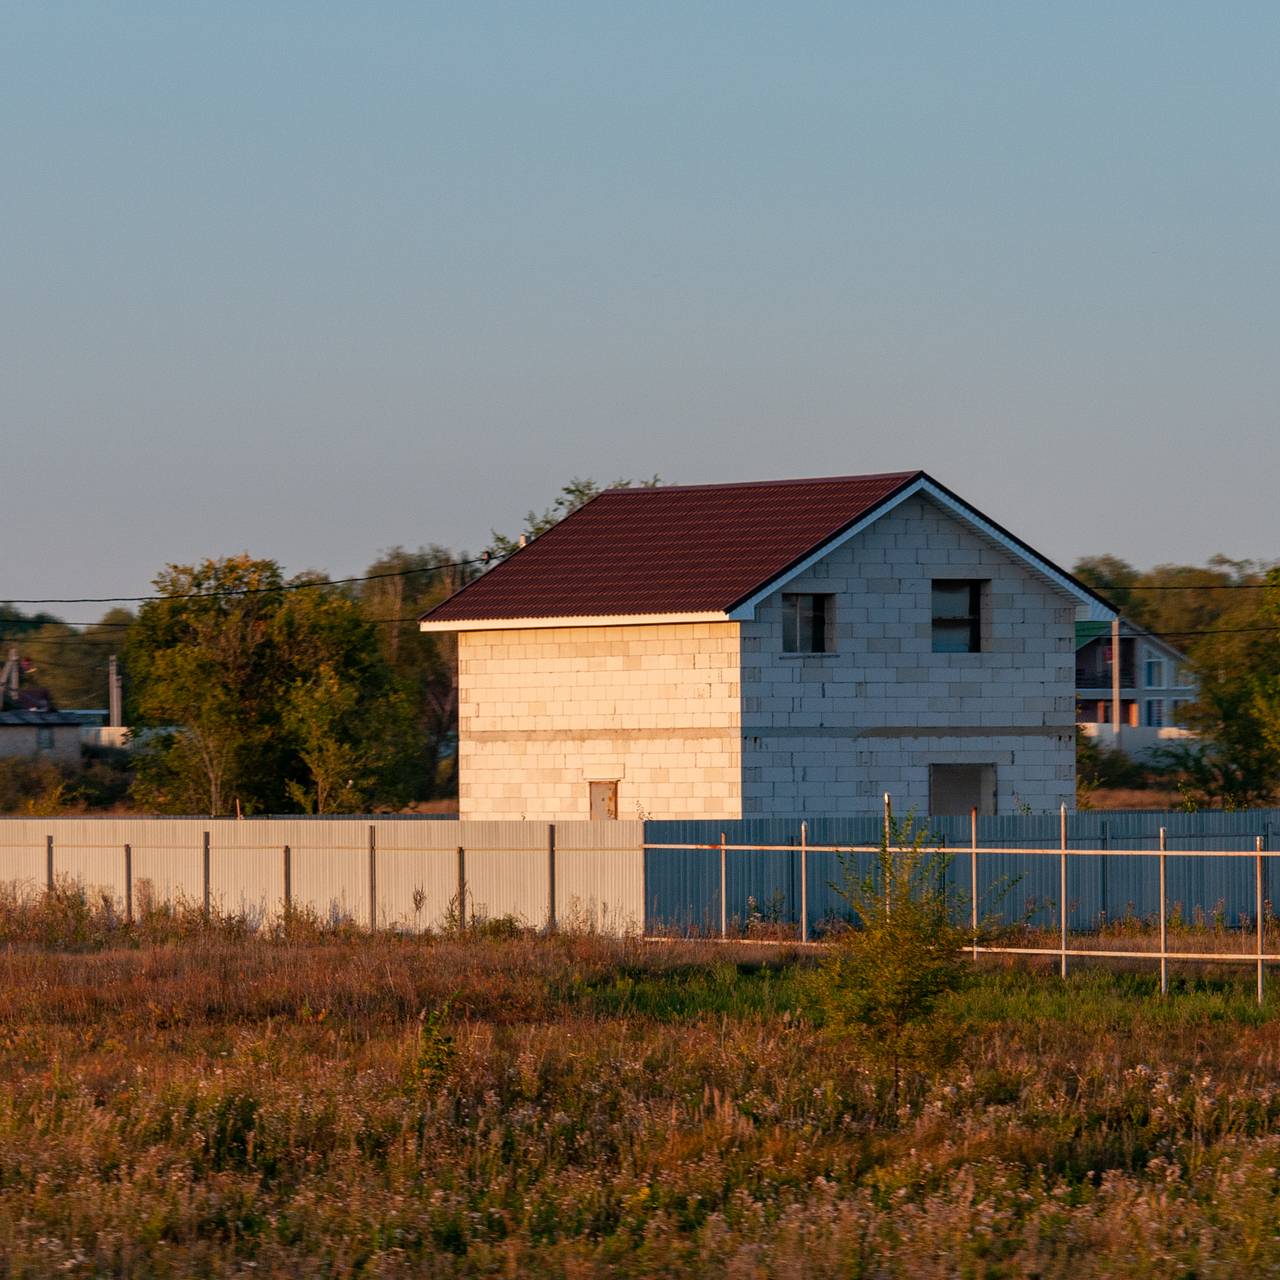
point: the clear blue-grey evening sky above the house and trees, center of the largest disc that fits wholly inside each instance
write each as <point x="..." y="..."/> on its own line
<point x="313" y="280"/>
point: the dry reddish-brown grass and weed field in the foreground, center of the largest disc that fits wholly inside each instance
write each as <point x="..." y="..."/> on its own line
<point x="190" y="1101"/>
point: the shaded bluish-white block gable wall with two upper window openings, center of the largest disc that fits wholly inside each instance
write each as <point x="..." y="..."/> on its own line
<point x="830" y="734"/>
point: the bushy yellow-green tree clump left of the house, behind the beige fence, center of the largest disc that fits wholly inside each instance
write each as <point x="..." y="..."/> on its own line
<point x="260" y="694"/>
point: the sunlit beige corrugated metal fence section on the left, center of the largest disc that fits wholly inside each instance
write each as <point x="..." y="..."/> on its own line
<point x="386" y="874"/>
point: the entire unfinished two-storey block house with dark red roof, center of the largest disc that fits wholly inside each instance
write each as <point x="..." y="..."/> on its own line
<point x="769" y="650"/>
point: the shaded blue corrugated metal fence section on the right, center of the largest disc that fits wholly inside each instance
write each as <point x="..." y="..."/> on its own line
<point x="683" y="885"/>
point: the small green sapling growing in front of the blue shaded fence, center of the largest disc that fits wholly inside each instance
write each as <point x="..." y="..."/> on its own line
<point x="885" y="985"/>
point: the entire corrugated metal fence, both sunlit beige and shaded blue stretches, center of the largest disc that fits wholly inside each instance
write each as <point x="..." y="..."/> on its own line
<point x="406" y="874"/>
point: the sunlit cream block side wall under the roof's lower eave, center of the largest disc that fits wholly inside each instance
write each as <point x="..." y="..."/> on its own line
<point x="545" y="712"/>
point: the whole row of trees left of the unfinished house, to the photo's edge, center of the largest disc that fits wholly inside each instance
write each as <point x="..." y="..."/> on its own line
<point x="253" y="692"/>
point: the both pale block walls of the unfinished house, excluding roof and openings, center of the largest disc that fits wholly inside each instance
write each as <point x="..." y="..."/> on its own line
<point x="714" y="720"/>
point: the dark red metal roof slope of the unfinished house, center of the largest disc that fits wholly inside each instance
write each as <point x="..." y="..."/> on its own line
<point x="676" y="550"/>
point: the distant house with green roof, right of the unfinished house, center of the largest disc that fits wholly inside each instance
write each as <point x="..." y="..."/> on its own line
<point x="1156" y="685"/>
